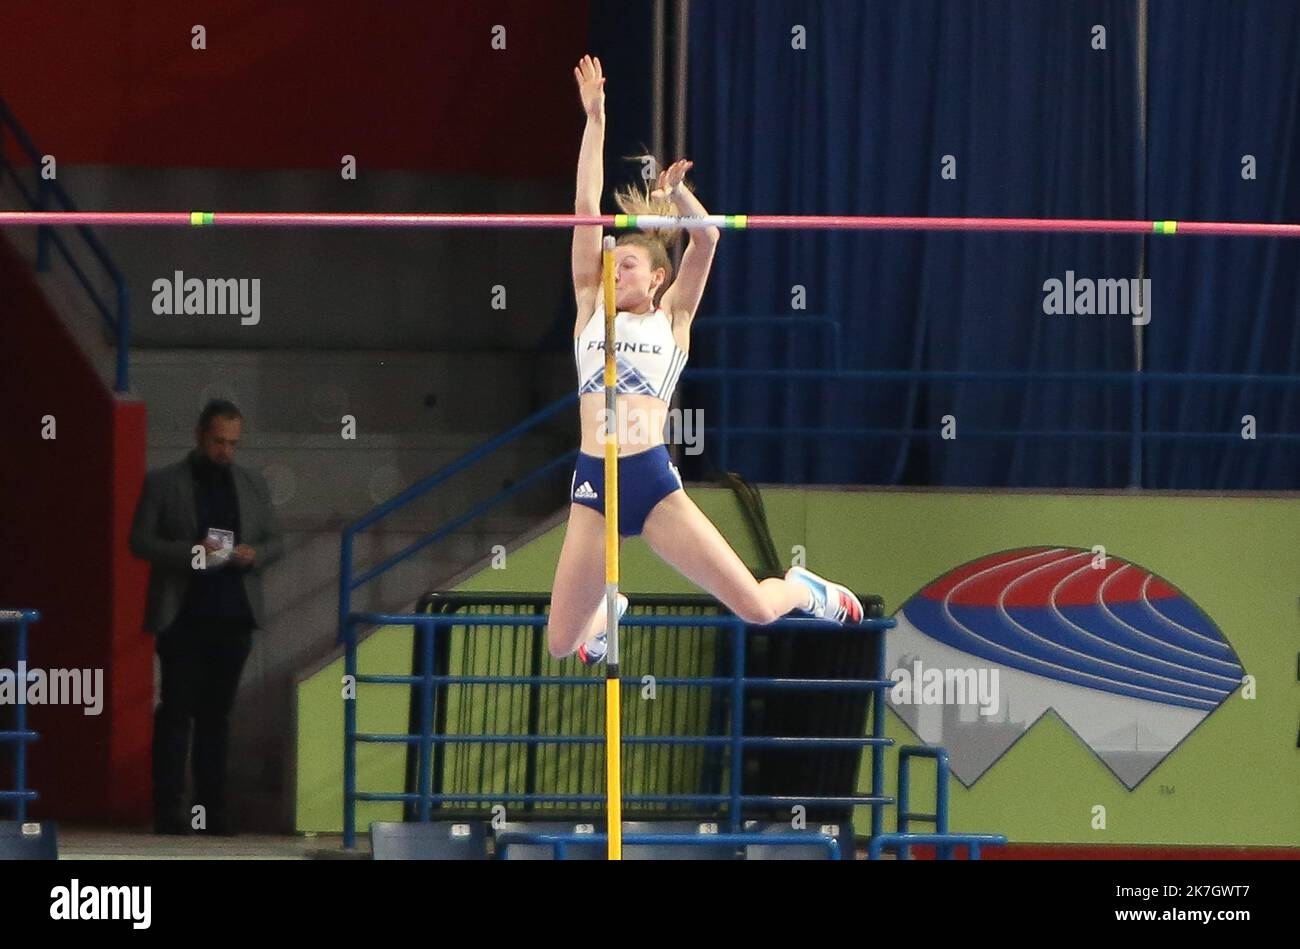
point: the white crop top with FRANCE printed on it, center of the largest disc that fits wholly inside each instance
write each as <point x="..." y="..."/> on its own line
<point x="648" y="359"/>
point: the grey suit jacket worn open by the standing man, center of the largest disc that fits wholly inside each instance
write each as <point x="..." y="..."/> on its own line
<point x="164" y="535"/>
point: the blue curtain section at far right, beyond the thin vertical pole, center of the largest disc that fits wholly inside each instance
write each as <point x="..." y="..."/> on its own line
<point x="1225" y="85"/>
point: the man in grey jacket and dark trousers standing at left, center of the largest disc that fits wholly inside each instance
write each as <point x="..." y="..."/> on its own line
<point x="207" y="527"/>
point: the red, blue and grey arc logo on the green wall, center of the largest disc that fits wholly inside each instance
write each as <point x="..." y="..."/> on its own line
<point x="1121" y="656"/>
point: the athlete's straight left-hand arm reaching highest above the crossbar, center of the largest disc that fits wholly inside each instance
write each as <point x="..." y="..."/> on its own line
<point x="591" y="183"/>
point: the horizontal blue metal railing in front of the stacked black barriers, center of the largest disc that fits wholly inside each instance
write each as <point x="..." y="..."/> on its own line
<point x="735" y="799"/>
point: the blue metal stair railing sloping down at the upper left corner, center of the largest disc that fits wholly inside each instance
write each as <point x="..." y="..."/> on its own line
<point x="118" y="319"/>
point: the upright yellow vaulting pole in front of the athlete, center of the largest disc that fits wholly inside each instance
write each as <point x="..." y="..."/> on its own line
<point x="613" y="696"/>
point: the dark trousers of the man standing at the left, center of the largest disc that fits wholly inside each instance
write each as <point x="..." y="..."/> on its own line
<point x="201" y="666"/>
